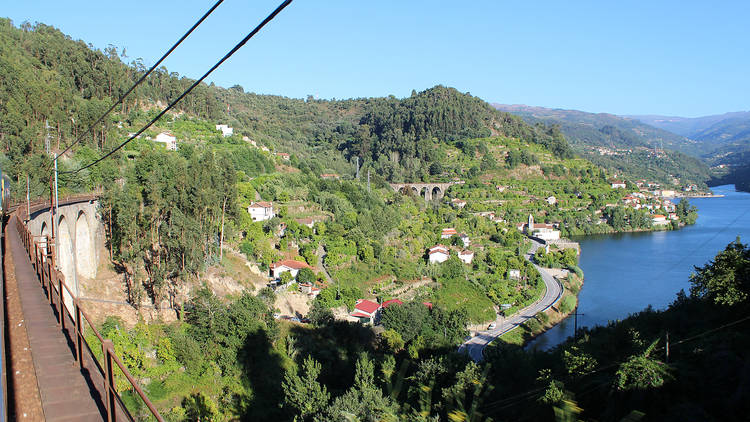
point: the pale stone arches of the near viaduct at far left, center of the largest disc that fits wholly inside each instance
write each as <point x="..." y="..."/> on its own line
<point x="80" y="237"/>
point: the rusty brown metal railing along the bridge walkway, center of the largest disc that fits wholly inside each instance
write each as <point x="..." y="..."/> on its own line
<point x="42" y="257"/>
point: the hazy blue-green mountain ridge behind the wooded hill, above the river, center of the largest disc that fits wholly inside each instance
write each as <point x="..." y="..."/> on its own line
<point x="621" y="144"/>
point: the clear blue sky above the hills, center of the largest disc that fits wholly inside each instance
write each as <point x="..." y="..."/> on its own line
<point x="686" y="58"/>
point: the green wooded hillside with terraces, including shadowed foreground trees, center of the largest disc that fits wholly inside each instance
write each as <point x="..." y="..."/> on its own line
<point x="173" y="218"/>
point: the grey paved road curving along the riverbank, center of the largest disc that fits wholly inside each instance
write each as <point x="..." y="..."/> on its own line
<point x="475" y="345"/>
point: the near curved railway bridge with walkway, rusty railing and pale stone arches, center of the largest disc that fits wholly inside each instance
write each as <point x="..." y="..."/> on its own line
<point x="58" y="366"/>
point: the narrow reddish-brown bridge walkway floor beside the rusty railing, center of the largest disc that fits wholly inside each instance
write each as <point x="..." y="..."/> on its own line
<point x="67" y="392"/>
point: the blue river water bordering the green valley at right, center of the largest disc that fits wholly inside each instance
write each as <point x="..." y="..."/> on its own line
<point x="624" y="273"/>
